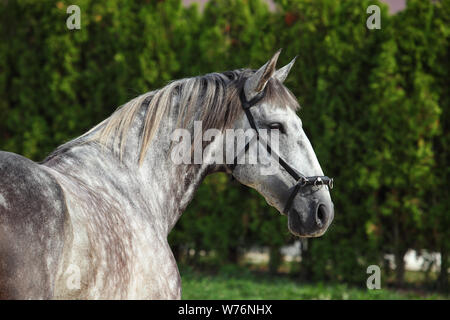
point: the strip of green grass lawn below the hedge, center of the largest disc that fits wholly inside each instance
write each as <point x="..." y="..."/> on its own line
<point x="247" y="285"/>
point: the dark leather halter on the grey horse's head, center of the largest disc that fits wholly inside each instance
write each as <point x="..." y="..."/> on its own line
<point x="301" y="180"/>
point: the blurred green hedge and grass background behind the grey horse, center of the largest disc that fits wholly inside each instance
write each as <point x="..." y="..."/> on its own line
<point x="375" y="105"/>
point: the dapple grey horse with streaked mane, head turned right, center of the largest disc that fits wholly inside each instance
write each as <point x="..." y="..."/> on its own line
<point x="91" y="221"/>
